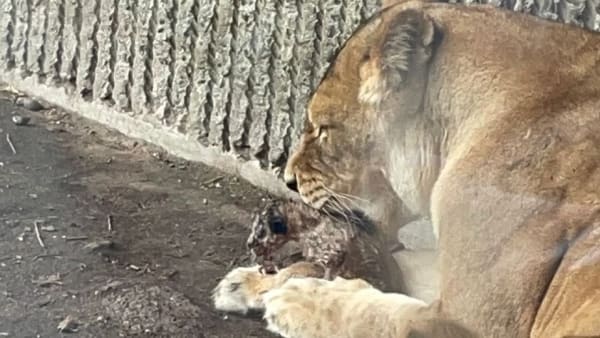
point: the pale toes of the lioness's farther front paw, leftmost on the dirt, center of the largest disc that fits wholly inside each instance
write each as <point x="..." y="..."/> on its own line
<point x="239" y="291"/>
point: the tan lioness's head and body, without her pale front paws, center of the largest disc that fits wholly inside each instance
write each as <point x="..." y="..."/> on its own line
<point x="488" y="121"/>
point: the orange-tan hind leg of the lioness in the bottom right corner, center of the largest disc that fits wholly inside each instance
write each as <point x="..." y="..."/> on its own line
<point x="571" y="306"/>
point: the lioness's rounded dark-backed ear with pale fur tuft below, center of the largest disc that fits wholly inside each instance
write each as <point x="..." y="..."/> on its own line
<point x="405" y="48"/>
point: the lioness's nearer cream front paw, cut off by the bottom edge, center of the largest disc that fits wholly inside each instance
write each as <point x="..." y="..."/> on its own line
<point x="316" y="308"/>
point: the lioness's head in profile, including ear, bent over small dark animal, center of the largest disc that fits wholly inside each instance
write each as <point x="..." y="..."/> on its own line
<point x="379" y="75"/>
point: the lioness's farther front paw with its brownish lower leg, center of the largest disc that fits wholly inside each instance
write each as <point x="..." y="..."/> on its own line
<point x="242" y="289"/>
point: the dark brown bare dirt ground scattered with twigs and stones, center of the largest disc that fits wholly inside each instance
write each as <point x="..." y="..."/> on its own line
<point x="177" y="227"/>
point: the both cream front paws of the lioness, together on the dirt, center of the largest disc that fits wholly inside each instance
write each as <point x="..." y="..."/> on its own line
<point x="296" y="306"/>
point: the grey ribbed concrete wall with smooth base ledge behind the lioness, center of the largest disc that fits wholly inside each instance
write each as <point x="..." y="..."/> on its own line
<point x="224" y="82"/>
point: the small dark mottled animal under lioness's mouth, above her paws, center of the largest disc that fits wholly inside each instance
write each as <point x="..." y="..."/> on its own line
<point x="346" y="245"/>
